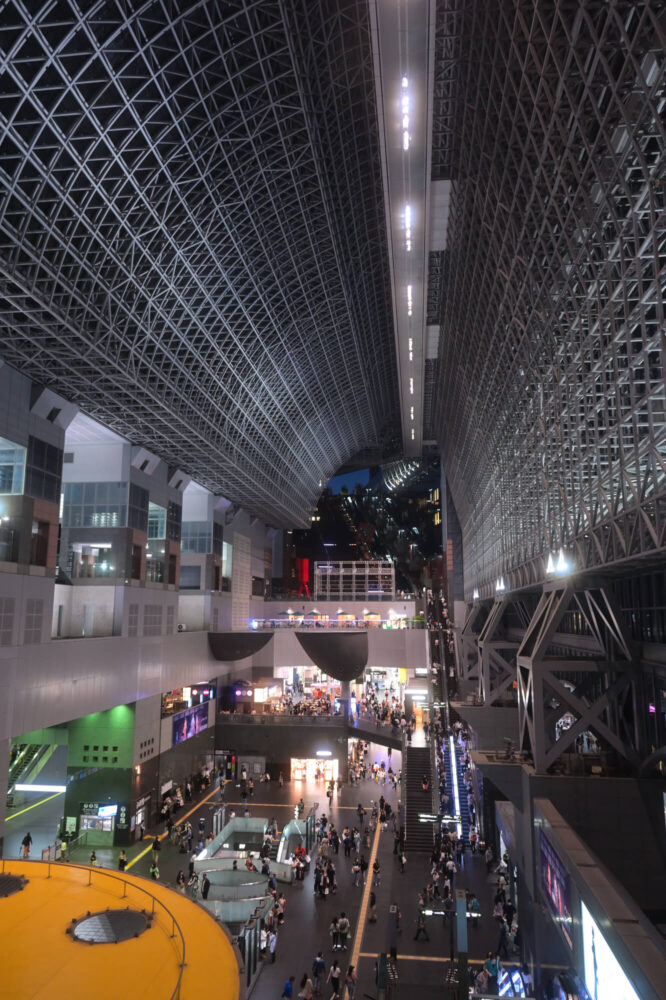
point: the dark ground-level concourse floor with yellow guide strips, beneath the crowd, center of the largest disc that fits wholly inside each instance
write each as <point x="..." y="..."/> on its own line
<point x="306" y="927"/>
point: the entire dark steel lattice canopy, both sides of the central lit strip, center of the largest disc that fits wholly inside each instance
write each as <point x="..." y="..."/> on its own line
<point x="193" y="248"/>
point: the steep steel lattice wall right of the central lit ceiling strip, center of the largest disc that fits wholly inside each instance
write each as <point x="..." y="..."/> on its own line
<point x="550" y="406"/>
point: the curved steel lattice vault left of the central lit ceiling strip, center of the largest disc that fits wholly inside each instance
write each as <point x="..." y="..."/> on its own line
<point x="192" y="240"/>
